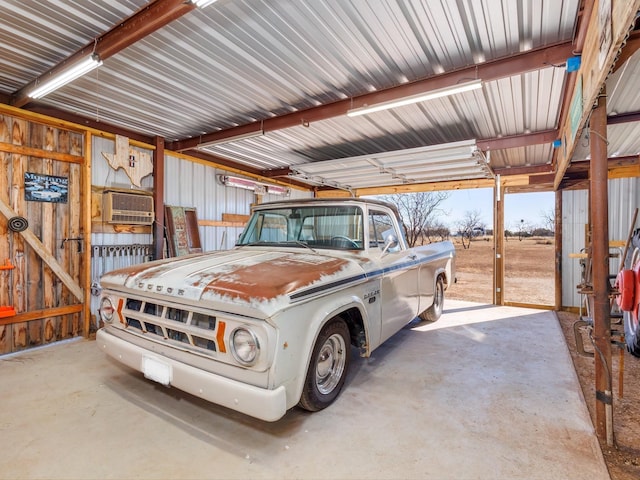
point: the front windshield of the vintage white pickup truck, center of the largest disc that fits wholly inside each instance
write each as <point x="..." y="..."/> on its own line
<point x="336" y="227"/>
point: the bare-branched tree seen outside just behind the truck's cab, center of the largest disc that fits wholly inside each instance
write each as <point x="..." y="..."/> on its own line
<point x="417" y="211"/>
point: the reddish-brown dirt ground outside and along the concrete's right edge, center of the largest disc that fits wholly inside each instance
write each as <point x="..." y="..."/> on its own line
<point x="529" y="279"/>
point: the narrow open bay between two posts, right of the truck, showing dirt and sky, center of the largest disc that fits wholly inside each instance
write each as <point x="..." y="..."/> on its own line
<point x="529" y="268"/>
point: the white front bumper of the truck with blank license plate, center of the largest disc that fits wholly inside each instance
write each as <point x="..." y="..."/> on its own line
<point x="268" y="405"/>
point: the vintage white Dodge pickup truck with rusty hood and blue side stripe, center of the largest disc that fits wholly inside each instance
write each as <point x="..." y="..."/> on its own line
<point x="271" y="323"/>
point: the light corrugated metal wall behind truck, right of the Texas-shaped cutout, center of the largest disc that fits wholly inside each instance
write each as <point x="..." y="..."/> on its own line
<point x="193" y="184"/>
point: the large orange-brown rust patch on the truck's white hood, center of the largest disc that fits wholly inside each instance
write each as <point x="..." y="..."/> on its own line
<point x="268" y="280"/>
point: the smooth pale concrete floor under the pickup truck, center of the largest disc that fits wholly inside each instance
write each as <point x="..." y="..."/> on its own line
<point x="484" y="393"/>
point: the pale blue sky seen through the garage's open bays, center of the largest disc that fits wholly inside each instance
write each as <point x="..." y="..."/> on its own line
<point x="518" y="206"/>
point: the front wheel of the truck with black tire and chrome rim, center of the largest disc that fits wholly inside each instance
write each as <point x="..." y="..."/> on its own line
<point x="328" y="367"/>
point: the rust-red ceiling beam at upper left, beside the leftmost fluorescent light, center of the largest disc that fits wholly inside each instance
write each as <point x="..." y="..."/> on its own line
<point x="147" y="20"/>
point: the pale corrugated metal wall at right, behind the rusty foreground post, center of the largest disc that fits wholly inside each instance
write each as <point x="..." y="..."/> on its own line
<point x="624" y="197"/>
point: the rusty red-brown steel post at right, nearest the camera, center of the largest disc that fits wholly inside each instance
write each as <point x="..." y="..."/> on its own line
<point x="599" y="204"/>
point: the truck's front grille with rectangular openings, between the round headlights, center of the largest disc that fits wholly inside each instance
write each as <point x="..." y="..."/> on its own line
<point x="194" y="329"/>
